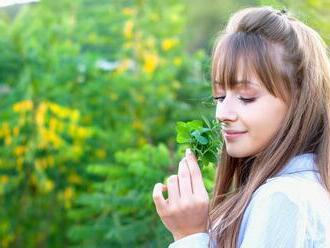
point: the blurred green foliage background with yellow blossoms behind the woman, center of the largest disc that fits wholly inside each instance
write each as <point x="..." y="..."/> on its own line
<point x="90" y="93"/>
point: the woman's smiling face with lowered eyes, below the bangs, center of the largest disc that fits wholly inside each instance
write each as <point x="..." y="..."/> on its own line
<point x="250" y="110"/>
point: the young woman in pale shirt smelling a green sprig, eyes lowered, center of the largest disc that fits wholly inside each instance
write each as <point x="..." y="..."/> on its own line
<point x="271" y="84"/>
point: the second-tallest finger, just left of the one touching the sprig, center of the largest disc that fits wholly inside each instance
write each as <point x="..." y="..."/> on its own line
<point x="184" y="179"/>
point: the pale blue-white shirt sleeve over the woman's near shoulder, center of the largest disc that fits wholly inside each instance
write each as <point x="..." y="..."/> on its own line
<point x="291" y="207"/>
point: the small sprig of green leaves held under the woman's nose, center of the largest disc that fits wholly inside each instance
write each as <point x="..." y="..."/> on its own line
<point x="202" y="137"/>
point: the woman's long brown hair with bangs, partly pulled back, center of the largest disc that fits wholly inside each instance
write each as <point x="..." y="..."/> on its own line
<point x="291" y="61"/>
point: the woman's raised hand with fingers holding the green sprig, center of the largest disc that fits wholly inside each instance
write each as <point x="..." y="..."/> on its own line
<point x="186" y="210"/>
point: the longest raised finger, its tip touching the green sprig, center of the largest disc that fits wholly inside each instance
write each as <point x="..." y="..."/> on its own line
<point x="195" y="173"/>
